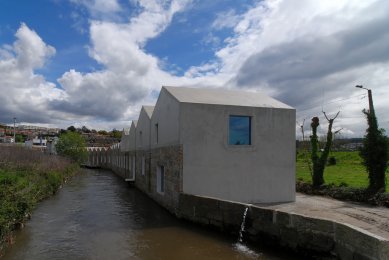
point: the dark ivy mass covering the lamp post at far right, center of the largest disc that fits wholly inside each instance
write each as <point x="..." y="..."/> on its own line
<point x="374" y="153"/>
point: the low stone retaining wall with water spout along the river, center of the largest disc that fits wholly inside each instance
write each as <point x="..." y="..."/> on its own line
<point x="305" y="235"/>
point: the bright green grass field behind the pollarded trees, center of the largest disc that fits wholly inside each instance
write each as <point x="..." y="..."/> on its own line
<point x="348" y="170"/>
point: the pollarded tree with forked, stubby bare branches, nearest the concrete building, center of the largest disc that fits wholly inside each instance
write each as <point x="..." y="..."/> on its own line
<point x="319" y="162"/>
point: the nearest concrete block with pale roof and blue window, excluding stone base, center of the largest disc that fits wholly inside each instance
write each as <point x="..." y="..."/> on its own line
<point x="236" y="145"/>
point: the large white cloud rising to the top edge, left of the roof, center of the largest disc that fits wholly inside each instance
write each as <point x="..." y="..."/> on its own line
<point x="129" y="75"/>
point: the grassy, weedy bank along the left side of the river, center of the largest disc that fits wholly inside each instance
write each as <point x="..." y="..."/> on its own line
<point x="27" y="177"/>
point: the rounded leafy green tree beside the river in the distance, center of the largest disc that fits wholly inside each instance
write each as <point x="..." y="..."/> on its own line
<point x="72" y="145"/>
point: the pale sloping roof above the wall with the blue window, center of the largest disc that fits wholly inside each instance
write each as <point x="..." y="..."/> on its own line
<point x="221" y="96"/>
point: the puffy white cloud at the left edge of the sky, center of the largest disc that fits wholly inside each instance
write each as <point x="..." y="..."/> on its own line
<point x="24" y="93"/>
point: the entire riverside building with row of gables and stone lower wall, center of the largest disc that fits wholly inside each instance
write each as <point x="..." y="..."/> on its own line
<point x="226" y="144"/>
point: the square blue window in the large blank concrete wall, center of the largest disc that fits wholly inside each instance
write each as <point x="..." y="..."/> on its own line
<point x="239" y="130"/>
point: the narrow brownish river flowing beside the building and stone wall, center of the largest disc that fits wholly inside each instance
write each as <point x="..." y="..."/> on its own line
<point x="98" y="216"/>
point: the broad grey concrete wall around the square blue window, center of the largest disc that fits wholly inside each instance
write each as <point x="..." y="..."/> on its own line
<point x="262" y="172"/>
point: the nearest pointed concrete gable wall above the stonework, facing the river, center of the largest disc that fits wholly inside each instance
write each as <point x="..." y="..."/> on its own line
<point x="166" y="115"/>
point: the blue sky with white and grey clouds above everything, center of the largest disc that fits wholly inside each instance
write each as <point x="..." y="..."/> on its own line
<point x="95" y="62"/>
